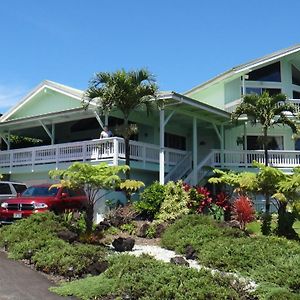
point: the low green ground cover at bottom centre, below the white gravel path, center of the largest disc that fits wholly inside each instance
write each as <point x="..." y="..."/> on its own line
<point x="142" y="277"/>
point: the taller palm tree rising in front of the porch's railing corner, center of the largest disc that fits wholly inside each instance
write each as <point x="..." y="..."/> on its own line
<point x="125" y="92"/>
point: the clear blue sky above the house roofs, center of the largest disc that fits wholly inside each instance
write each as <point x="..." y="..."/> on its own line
<point x="183" y="43"/>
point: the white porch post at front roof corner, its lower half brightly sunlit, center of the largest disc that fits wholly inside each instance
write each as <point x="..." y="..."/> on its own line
<point x="162" y="146"/>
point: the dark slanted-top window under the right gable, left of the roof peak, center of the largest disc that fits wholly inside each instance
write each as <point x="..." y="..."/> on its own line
<point x="268" y="73"/>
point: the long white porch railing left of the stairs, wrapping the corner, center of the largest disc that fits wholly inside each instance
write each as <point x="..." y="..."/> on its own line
<point x="111" y="149"/>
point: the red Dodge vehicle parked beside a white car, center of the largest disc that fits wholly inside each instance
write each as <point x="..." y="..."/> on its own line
<point x="40" y="198"/>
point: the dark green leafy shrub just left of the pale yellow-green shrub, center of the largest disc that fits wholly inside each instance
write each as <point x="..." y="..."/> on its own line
<point x="150" y="200"/>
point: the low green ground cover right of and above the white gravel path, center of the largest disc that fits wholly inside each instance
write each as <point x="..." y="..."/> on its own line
<point x="272" y="262"/>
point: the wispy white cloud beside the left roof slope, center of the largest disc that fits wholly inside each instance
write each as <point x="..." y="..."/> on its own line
<point x="10" y="95"/>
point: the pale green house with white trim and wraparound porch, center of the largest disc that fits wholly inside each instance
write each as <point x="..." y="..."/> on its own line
<point x="178" y="140"/>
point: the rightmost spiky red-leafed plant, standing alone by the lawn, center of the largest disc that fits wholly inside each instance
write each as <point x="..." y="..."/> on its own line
<point x="243" y="211"/>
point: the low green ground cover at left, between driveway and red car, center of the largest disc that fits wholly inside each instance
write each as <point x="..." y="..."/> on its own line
<point x="36" y="239"/>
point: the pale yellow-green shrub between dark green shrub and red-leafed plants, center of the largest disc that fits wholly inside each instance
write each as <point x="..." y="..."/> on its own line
<point x="175" y="202"/>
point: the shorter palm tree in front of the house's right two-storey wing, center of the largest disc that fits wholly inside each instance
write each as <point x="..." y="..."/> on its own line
<point x="267" y="111"/>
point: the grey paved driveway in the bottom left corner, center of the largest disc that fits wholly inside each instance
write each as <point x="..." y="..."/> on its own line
<point x="18" y="282"/>
